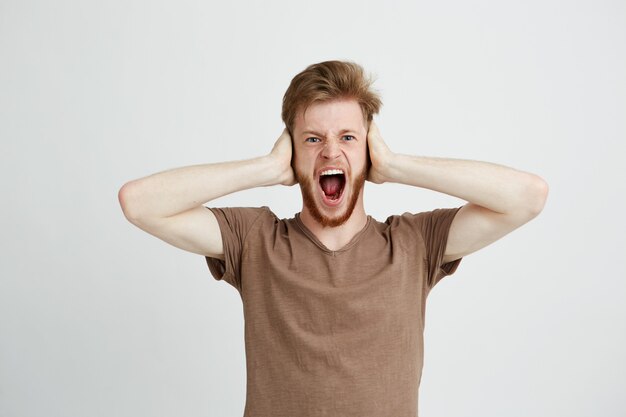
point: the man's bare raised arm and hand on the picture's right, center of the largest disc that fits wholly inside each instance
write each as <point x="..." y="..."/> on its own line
<point x="500" y="199"/>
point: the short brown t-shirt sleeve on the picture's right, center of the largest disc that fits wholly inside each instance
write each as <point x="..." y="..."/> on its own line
<point x="434" y="227"/>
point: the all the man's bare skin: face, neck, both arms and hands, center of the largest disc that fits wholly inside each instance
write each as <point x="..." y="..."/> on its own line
<point x="169" y="204"/>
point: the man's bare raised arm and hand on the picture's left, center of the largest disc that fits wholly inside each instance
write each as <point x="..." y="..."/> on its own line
<point x="169" y="204"/>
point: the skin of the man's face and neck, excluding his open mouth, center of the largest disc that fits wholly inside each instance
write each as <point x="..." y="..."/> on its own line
<point x="331" y="136"/>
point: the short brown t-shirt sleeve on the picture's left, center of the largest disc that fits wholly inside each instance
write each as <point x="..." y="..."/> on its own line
<point x="235" y="224"/>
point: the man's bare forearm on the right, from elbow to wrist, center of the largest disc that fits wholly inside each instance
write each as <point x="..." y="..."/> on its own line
<point x="496" y="187"/>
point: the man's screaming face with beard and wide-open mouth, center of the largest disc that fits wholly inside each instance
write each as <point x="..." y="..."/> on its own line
<point x="330" y="159"/>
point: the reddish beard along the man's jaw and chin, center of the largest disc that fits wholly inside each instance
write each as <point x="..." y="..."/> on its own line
<point x="309" y="188"/>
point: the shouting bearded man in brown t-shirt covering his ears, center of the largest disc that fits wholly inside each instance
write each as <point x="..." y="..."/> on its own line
<point x="333" y="299"/>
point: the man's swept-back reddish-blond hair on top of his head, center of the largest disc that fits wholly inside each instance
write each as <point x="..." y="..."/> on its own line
<point x="326" y="81"/>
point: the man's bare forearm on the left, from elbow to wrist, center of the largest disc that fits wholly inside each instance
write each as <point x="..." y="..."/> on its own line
<point x="171" y="192"/>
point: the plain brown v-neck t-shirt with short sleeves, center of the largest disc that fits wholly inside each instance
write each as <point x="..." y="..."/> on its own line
<point x="332" y="333"/>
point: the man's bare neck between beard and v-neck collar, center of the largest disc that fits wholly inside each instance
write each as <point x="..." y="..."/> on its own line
<point x="335" y="238"/>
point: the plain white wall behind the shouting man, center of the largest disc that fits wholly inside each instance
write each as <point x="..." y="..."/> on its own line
<point x="98" y="318"/>
